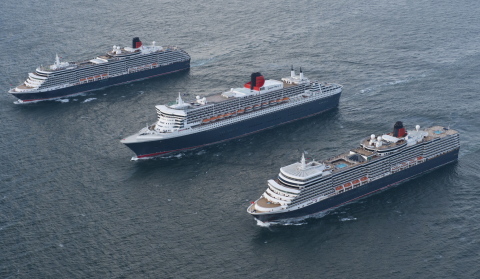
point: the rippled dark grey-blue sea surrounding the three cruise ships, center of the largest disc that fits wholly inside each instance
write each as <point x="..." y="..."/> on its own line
<point x="73" y="205"/>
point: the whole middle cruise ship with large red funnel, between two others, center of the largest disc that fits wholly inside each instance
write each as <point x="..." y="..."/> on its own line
<point x="260" y="104"/>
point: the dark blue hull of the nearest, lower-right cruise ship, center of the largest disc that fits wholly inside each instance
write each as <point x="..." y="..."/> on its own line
<point x="365" y="190"/>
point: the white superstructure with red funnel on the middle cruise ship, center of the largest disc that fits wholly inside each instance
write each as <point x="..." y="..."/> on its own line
<point x="237" y="104"/>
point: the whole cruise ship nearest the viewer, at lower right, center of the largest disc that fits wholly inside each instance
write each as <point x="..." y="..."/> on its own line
<point x="306" y="188"/>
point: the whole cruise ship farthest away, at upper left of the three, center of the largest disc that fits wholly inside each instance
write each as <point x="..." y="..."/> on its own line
<point x="118" y="66"/>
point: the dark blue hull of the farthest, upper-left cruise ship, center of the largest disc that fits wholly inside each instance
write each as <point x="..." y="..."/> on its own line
<point x="86" y="87"/>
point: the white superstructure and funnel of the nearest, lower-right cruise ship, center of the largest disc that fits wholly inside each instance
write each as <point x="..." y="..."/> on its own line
<point x="302" y="184"/>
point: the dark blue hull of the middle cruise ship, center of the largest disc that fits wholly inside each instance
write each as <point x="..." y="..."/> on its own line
<point x="235" y="130"/>
